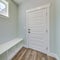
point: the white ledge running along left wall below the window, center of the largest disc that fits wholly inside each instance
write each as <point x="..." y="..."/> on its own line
<point x="6" y="46"/>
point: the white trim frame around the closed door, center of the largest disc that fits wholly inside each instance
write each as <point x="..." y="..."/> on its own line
<point x="33" y="9"/>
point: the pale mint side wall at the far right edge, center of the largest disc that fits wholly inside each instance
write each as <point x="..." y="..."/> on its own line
<point x="58" y="27"/>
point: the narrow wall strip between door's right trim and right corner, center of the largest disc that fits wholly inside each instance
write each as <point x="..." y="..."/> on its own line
<point x="52" y="26"/>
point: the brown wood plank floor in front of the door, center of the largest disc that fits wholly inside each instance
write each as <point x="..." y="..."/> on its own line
<point x="30" y="54"/>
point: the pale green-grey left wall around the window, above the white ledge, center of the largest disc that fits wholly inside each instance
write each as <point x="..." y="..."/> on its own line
<point x="8" y="26"/>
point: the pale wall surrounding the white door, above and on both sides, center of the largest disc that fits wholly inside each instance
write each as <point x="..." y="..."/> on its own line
<point x="29" y="4"/>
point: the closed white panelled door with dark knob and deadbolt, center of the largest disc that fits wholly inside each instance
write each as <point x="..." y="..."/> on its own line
<point x="38" y="29"/>
